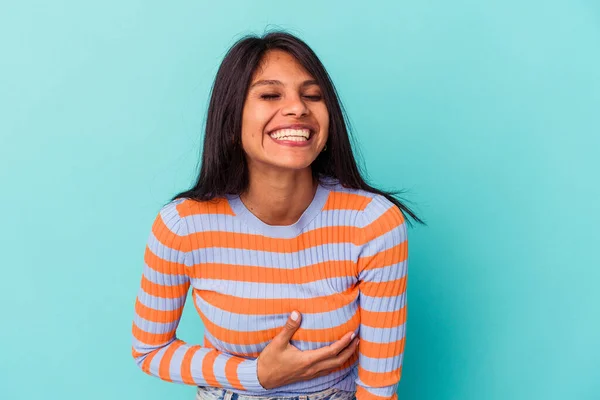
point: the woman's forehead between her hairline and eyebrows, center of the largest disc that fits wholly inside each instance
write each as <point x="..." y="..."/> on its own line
<point x="278" y="64"/>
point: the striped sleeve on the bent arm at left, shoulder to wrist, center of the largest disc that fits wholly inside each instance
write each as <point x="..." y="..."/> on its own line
<point x="158" y="308"/>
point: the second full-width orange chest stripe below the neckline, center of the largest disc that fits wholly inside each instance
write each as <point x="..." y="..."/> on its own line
<point x="246" y="273"/>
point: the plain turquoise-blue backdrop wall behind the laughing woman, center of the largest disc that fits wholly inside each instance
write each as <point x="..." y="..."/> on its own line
<point x="488" y="112"/>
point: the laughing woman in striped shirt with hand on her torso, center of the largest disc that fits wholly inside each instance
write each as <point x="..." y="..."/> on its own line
<point x="290" y="254"/>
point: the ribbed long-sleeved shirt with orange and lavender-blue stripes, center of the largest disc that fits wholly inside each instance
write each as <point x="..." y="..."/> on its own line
<point x="342" y="265"/>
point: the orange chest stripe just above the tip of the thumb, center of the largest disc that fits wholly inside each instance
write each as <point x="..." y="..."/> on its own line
<point x="247" y="306"/>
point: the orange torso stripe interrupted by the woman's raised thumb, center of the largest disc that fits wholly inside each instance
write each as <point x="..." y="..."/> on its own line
<point x="254" y="337"/>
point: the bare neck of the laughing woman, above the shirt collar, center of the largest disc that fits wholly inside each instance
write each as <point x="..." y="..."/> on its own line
<point x="279" y="197"/>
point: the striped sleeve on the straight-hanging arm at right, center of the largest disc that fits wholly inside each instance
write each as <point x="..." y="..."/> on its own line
<point x="382" y="274"/>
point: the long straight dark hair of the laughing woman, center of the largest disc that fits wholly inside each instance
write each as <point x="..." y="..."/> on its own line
<point x="223" y="167"/>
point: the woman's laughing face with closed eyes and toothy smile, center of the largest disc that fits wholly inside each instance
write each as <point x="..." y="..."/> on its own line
<point x="285" y="122"/>
